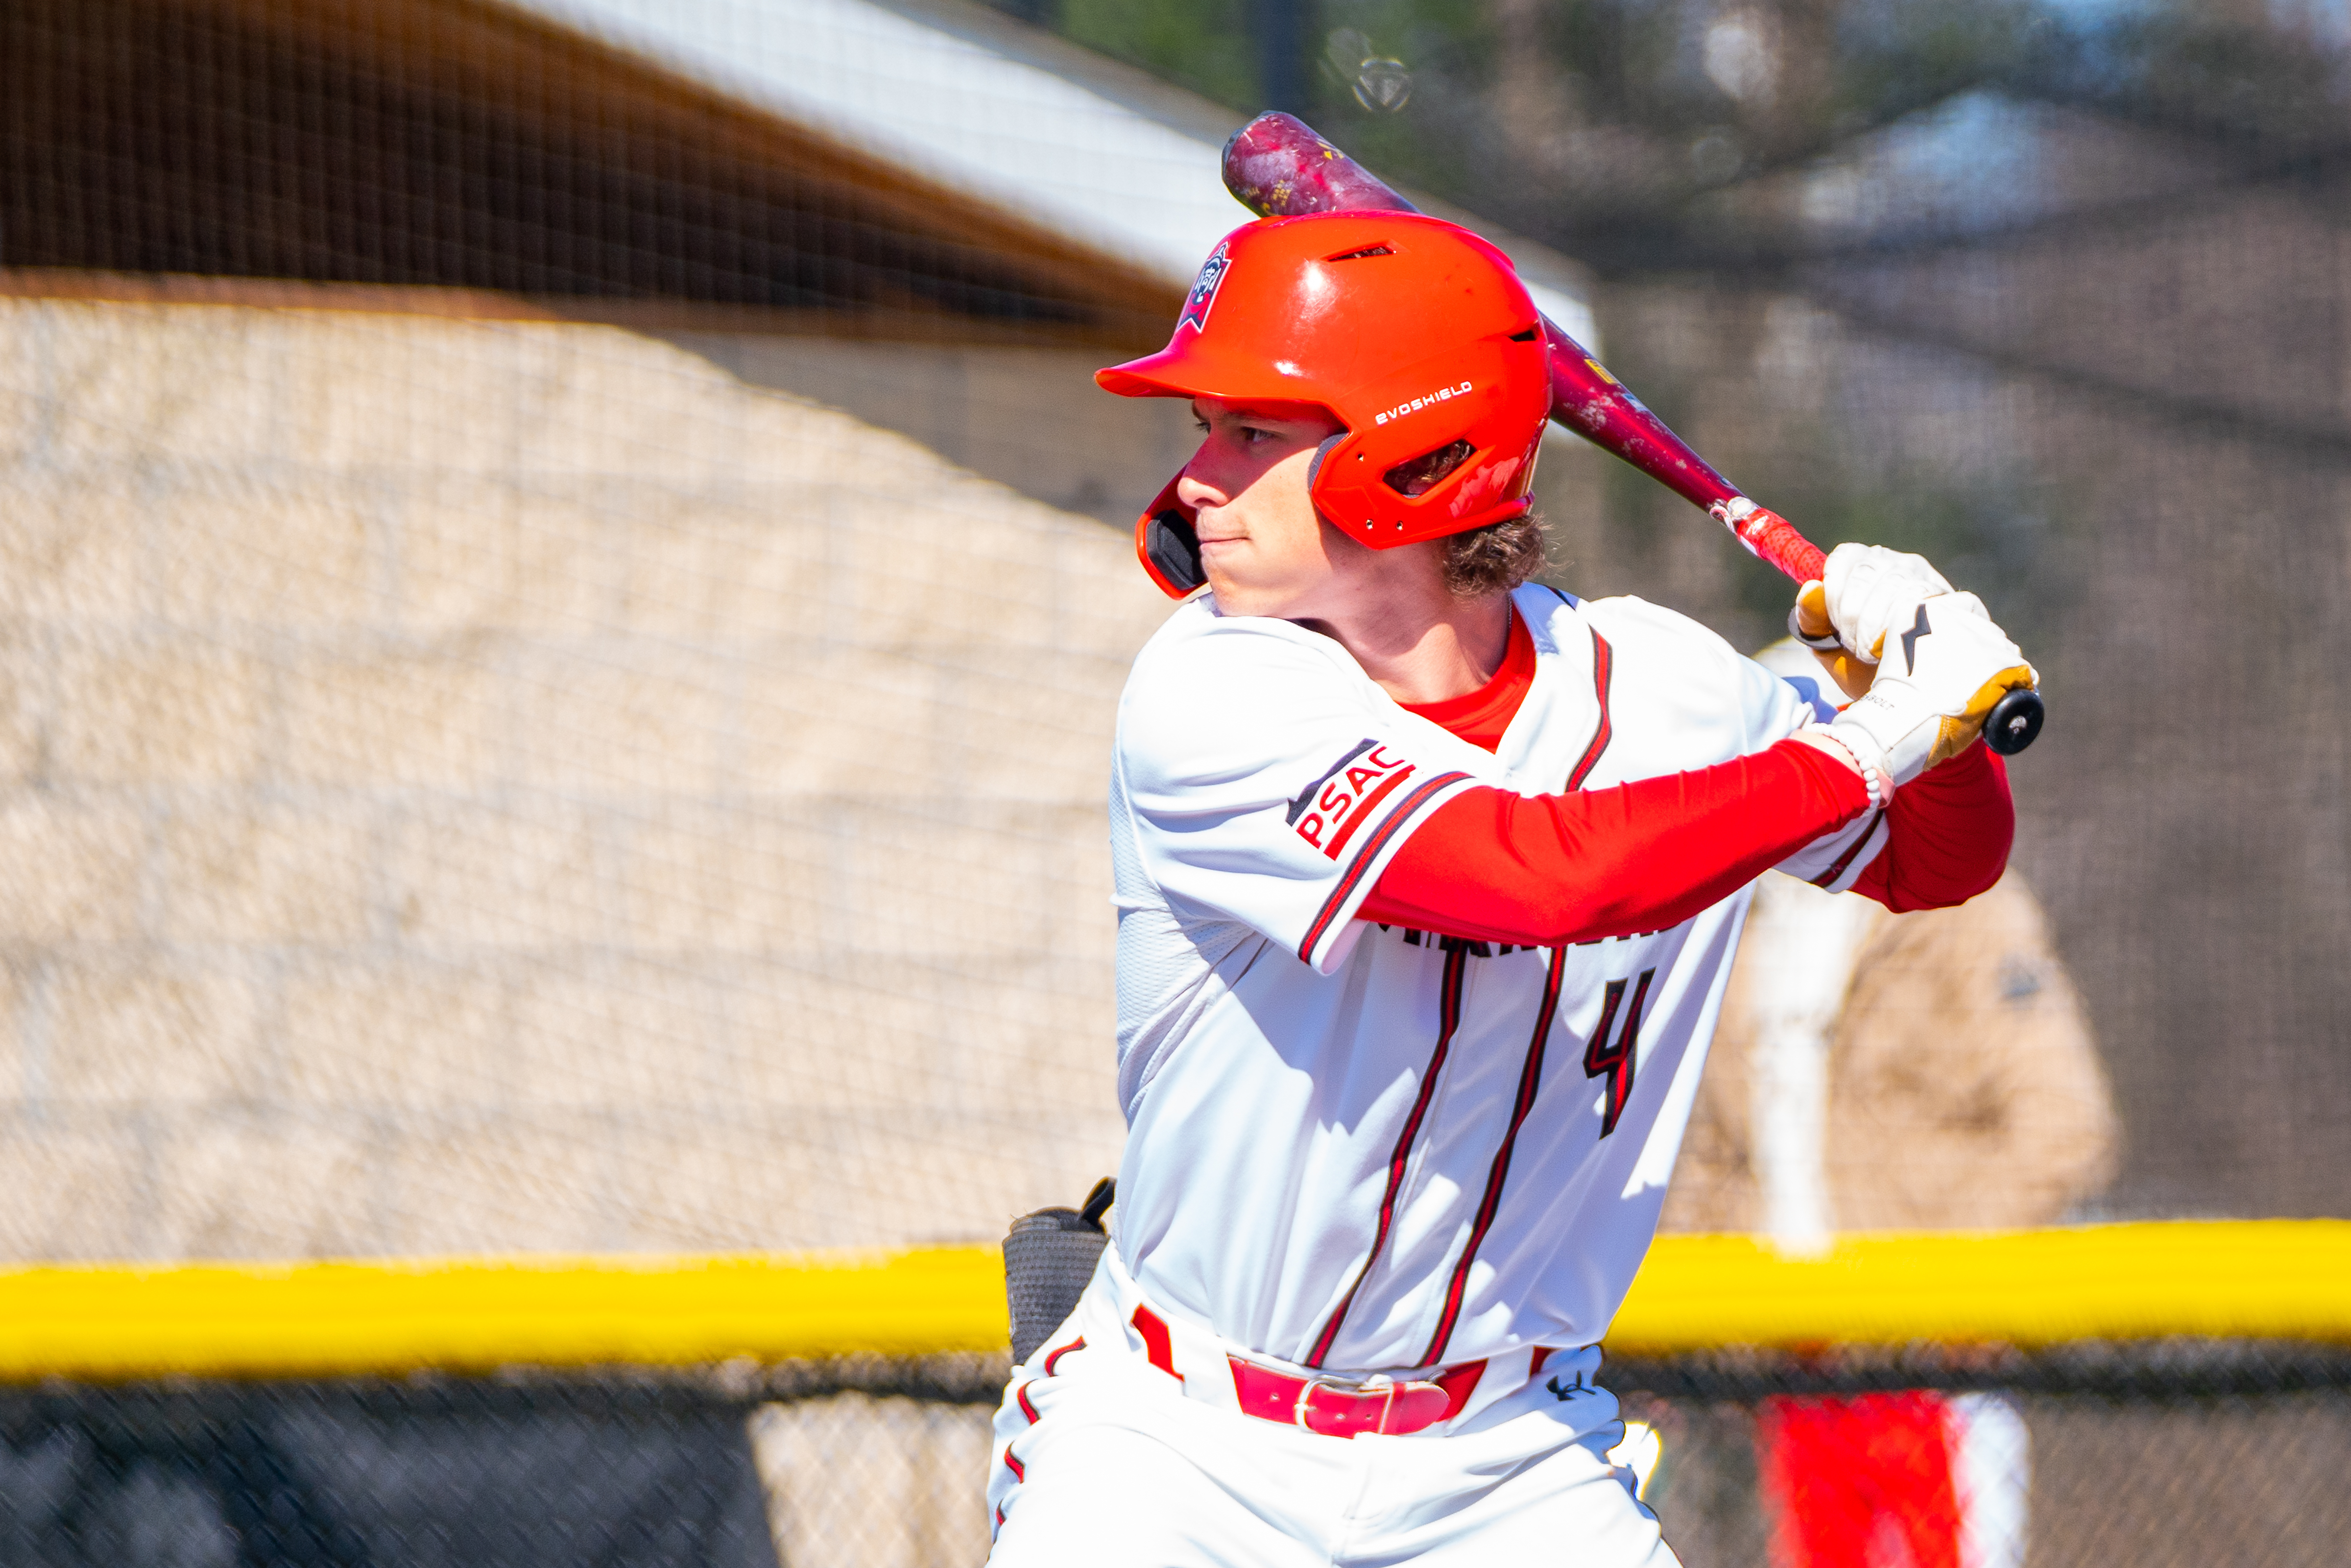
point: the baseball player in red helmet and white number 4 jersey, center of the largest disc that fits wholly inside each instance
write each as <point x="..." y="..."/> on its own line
<point x="1428" y="885"/>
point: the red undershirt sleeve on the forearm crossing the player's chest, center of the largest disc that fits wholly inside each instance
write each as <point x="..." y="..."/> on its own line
<point x="1642" y="857"/>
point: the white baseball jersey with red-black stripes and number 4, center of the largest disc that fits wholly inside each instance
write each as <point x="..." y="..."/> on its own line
<point x="1365" y="1148"/>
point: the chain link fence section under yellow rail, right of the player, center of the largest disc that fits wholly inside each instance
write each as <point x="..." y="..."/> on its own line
<point x="2166" y="1452"/>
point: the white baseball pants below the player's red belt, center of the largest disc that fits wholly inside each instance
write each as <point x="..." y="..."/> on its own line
<point x="1106" y="1461"/>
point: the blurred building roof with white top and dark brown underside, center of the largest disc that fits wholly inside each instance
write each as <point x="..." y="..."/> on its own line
<point x="831" y="168"/>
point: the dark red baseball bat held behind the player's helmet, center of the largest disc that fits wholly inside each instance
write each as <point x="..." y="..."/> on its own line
<point x="1278" y="166"/>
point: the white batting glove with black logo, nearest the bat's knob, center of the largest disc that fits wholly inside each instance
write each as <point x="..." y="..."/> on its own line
<point x="1938" y="676"/>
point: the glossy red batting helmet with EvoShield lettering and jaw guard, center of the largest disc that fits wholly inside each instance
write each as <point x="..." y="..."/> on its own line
<point x="1412" y="333"/>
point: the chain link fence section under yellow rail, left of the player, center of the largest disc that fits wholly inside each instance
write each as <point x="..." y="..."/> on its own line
<point x="826" y="1463"/>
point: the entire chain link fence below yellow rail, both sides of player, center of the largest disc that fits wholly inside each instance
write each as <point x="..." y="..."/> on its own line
<point x="2155" y="1454"/>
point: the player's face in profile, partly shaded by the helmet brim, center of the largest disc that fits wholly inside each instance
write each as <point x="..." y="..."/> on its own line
<point x="1261" y="542"/>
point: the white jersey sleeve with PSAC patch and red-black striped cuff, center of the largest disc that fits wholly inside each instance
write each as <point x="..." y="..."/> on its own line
<point x="1268" y="784"/>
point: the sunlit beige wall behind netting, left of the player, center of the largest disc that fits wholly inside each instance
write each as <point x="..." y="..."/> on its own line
<point x="514" y="786"/>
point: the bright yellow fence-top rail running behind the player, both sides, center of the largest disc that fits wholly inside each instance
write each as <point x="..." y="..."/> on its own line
<point x="304" y="1320"/>
